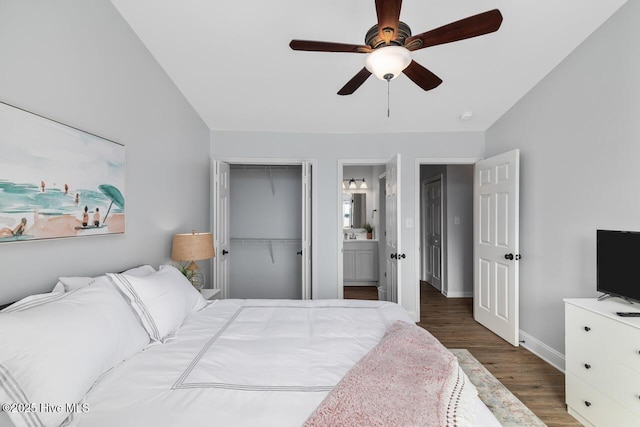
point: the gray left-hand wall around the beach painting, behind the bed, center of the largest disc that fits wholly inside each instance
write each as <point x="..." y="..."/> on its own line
<point x="79" y="63"/>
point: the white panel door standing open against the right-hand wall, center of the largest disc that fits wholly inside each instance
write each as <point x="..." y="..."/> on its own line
<point x="496" y="244"/>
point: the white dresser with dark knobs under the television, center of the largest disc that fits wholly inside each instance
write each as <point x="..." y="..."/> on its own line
<point x="602" y="362"/>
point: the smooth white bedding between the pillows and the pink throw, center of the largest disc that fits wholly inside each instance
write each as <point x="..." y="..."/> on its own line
<point x="243" y="363"/>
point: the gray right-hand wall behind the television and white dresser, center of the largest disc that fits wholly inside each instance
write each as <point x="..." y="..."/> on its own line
<point x="579" y="135"/>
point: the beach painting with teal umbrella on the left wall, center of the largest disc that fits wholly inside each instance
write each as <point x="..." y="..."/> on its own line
<point x="57" y="181"/>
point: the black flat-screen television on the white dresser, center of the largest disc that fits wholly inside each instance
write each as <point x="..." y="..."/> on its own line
<point x="618" y="264"/>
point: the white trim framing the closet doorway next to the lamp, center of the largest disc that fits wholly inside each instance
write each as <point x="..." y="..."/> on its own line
<point x="314" y="203"/>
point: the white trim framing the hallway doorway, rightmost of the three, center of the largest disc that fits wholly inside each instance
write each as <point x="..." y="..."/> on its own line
<point x="419" y="161"/>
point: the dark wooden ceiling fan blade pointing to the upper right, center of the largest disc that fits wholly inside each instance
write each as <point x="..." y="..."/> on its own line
<point x="472" y="26"/>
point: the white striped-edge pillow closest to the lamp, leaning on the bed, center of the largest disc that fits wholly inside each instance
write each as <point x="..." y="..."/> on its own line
<point x="162" y="300"/>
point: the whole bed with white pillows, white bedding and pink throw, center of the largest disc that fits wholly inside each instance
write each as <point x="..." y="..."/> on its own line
<point x="143" y="348"/>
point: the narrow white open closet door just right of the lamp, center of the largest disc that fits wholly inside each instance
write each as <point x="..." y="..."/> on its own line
<point x="221" y="226"/>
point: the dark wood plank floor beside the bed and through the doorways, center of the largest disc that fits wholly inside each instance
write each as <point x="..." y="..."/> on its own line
<point x="536" y="383"/>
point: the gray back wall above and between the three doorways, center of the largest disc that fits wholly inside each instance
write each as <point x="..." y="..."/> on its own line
<point x="327" y="149"/>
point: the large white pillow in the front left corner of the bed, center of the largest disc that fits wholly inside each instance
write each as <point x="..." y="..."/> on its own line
<point x="54" y="352"/>
